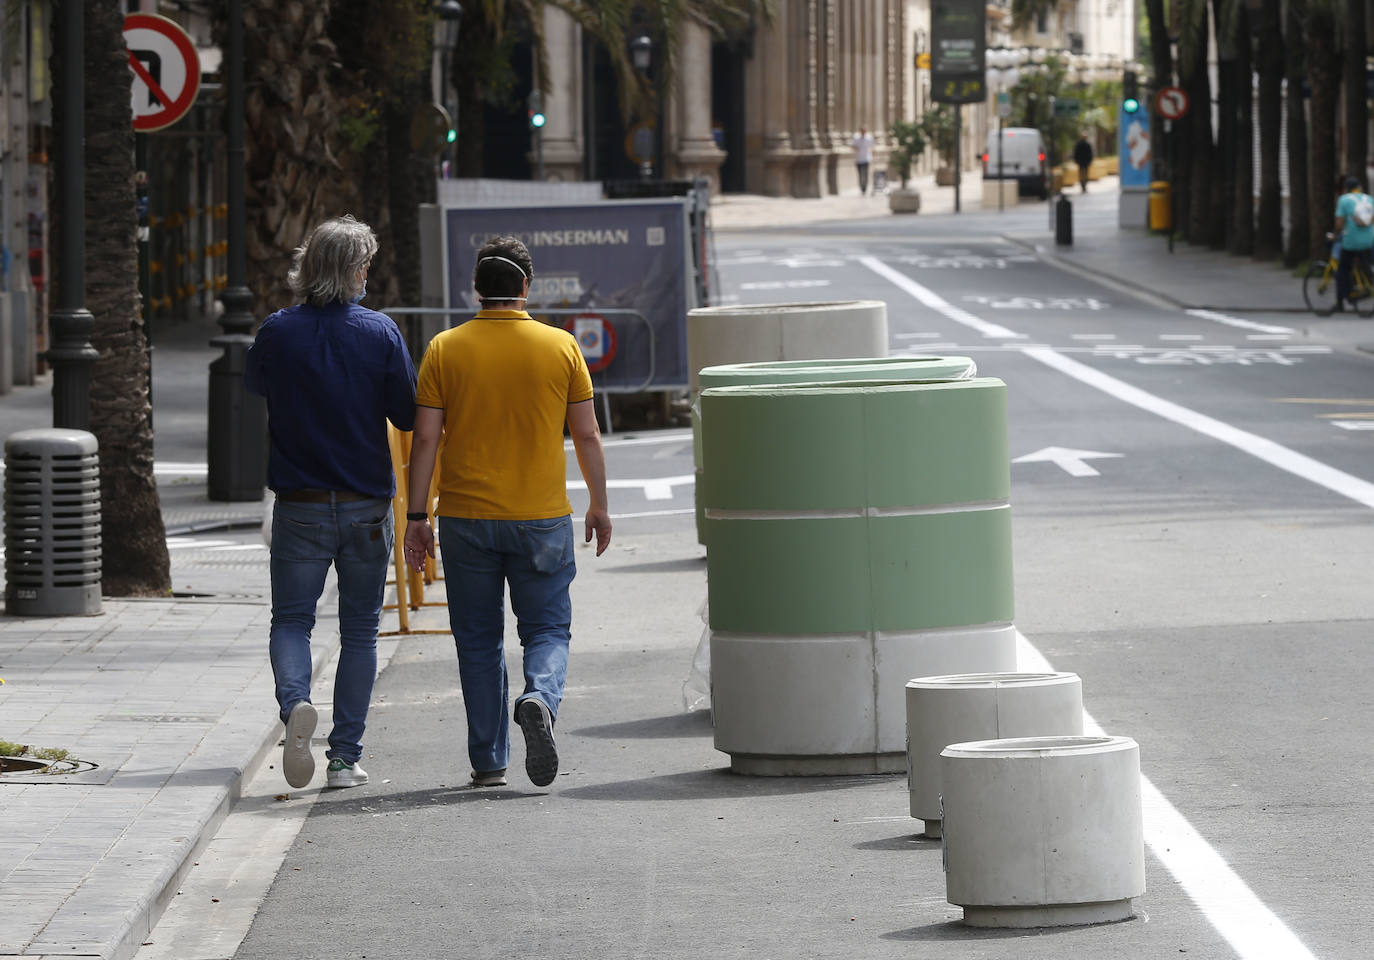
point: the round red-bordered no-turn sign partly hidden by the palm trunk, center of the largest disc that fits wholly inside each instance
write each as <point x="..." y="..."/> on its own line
<point x="167" y="71"/>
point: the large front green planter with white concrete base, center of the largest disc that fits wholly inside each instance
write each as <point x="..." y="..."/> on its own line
<point x="861" y="535"/>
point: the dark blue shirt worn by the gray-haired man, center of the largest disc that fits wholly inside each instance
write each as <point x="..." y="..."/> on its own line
<point x="332" y="376"/>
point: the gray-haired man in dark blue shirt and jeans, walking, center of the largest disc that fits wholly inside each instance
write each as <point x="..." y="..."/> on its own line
<point x="333" y="374"/>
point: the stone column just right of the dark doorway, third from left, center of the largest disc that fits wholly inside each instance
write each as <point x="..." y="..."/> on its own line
<point x="769" y="135"/>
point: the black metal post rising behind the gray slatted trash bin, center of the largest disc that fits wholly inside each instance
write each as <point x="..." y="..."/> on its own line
<point x="72" y="355"/>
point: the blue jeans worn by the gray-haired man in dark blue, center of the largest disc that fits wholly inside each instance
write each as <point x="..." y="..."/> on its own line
<point x="307" y="538"/>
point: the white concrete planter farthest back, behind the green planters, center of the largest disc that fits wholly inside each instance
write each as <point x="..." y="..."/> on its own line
<point x="785" y="332"/>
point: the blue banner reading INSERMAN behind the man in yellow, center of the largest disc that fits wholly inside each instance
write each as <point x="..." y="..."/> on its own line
<point x="613" y="255"/>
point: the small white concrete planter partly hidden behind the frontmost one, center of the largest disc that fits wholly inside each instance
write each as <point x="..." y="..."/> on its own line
<point x="980" y="707"/>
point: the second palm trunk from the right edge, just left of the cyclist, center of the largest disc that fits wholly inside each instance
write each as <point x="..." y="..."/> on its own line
<point x="1324" y="71"/>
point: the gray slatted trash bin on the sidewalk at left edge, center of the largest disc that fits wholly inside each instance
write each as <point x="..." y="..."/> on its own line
<point x="52" y="524"/>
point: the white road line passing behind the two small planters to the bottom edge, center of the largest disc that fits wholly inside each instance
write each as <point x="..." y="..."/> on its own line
<point x="1224" y="898"/>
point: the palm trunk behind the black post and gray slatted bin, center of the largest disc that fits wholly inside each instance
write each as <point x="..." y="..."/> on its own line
<point x="134" y="539"/>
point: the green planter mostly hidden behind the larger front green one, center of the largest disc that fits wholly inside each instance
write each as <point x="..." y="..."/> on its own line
<point x="810" y="372"/>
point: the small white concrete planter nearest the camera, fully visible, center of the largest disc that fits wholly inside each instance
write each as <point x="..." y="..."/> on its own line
<point x="1044" y="832"/>
